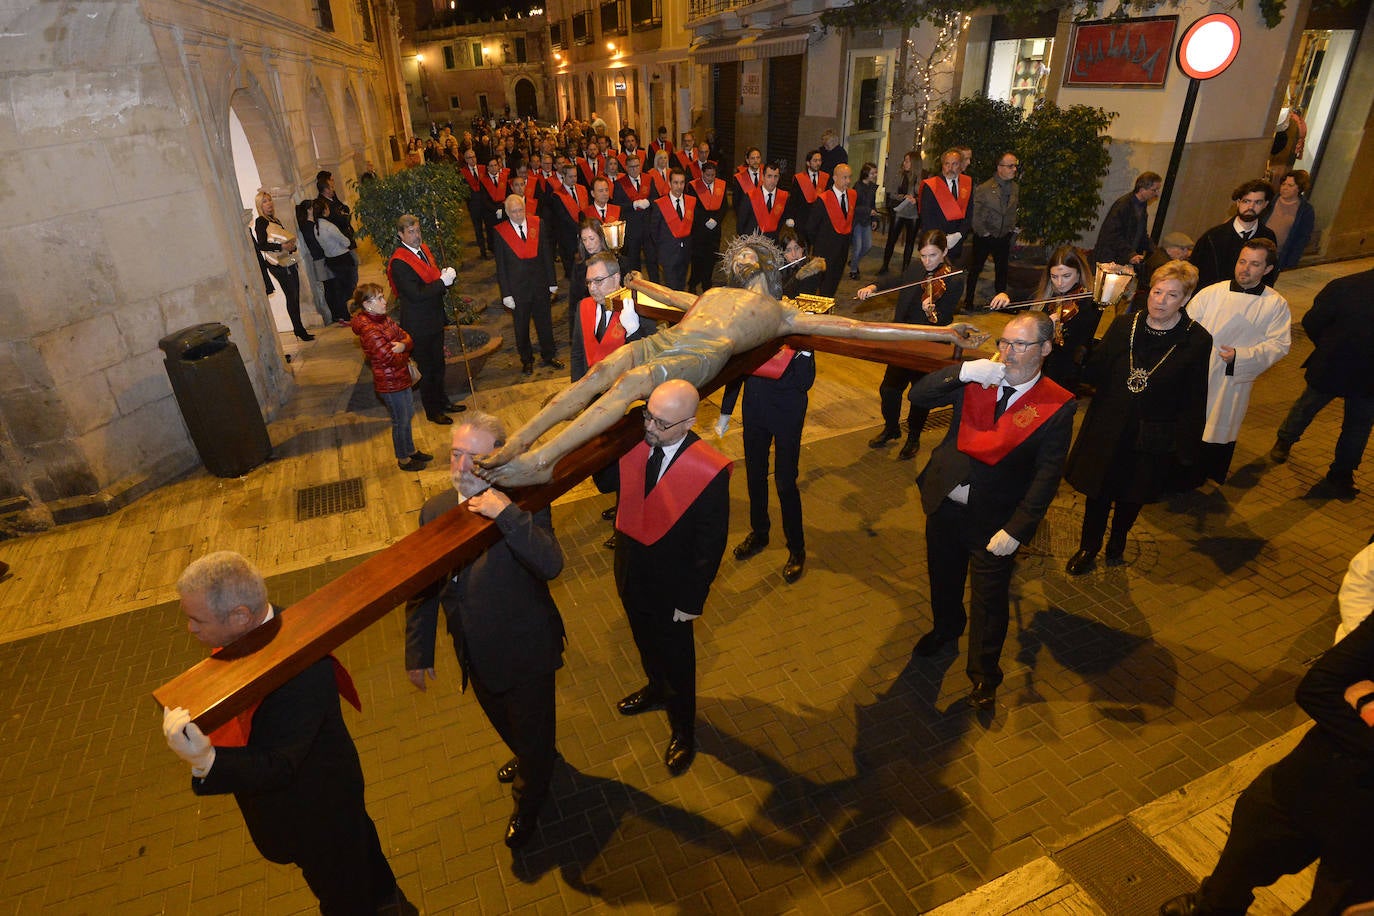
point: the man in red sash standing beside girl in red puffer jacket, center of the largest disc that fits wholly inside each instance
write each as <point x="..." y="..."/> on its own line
<point x="420" y="285"/>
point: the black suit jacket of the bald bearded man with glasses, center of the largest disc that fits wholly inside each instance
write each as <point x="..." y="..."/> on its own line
<point x="677" y="572"/>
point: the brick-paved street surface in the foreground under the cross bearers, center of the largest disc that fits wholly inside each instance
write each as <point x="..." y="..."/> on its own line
<point x="833" y="774"/>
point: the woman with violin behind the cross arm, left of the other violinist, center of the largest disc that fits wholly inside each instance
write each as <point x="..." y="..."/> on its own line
<point x="931" y="303"/>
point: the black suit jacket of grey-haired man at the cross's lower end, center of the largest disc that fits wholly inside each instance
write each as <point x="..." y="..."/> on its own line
<point x="299" y="781"/>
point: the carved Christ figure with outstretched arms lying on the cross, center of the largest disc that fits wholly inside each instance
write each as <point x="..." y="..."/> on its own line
<point x="718" y="325"/>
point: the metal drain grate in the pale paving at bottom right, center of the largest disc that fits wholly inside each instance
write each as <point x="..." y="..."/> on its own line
<point x="1125" y="871"/>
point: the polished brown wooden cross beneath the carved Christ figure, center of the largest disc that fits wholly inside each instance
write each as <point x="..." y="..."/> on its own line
<point x="219" y="689"/>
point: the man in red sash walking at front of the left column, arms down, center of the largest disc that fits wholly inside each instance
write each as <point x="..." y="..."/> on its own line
<point x="526" y="277"/>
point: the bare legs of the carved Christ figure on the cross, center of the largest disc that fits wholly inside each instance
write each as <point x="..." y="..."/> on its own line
<point x="517" y="465"/>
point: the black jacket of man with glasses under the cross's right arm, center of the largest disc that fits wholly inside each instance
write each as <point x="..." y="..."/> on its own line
<point x="1012" y="495"/>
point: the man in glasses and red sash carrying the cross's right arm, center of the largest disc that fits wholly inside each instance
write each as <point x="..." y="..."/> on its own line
<point x="987" y="487"/>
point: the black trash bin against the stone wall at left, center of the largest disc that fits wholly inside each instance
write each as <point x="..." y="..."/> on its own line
<point x="212" y="388"/>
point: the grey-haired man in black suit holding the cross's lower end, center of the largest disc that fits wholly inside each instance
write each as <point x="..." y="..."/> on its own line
<point x="289" y="762"/>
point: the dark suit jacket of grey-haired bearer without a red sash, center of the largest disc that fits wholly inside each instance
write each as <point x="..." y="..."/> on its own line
<point x="505" y="624"/>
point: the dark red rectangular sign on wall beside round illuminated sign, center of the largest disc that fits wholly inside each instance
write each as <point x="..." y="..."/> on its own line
<point x="1127" y="53"/>
